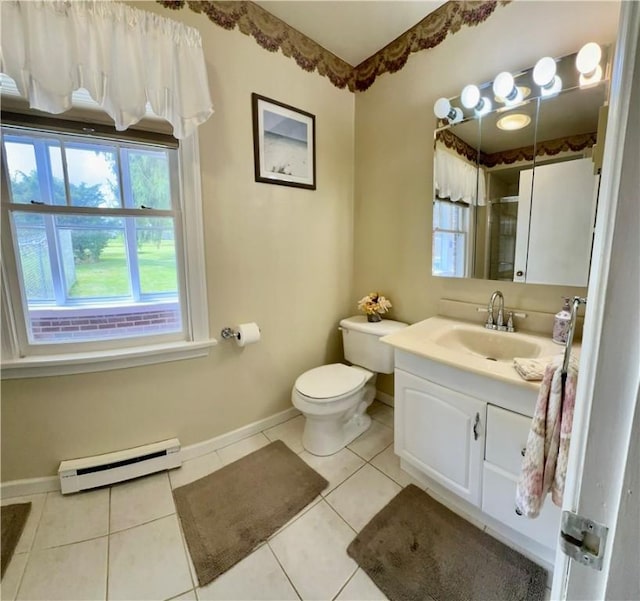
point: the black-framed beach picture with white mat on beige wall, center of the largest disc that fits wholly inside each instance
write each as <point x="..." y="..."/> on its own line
<point x="284" y="144"/>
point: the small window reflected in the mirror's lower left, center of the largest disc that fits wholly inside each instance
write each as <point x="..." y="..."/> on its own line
<point x="450" y="238"/>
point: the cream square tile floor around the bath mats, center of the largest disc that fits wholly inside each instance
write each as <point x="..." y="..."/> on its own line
<point x="125" y="542"/>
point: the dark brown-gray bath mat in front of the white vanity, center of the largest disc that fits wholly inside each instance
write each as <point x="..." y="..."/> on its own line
<point x="415" y="549"/>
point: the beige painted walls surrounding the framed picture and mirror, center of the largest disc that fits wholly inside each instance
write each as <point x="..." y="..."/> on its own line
<point x="296" y="261"/>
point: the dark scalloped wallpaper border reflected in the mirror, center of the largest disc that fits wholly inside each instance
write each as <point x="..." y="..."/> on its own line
<point x="575" y="143"/>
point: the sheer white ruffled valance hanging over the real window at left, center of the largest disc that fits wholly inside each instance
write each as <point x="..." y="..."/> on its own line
<point x="124" y="57"/>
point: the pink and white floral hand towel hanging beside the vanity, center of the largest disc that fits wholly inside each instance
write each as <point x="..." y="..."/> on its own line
<point x="544" y="466"/>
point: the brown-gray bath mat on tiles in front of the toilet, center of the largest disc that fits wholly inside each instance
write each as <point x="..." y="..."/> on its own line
<point x="226" y="514"/>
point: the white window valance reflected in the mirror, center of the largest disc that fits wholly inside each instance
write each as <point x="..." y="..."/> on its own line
<point x="458" y="180"/>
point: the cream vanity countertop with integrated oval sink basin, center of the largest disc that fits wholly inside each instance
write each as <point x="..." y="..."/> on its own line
<point x="460" y="344"/>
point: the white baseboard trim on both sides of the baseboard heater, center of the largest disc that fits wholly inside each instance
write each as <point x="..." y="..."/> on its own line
<point x="34" y="486"/>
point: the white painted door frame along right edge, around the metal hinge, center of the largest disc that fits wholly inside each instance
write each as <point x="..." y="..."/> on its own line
<point x="604" y="464"/>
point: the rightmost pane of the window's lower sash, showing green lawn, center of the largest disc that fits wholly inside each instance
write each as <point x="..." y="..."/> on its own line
<point x="157" y="256"/>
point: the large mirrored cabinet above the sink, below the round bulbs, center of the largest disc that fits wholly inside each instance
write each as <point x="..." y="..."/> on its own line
<point x="516" y="187"/>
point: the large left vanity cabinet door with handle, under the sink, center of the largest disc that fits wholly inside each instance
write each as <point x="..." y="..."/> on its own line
<point x="441" y="432"/>
